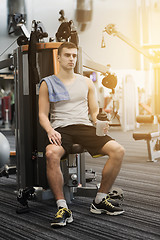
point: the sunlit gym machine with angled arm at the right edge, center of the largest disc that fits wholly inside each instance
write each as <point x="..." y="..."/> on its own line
<point x="152" y="138"/>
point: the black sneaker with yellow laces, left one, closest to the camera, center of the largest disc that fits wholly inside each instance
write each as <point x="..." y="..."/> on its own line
<point x="62" y="217"/>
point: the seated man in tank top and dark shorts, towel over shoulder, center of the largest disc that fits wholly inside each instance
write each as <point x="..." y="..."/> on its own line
<point x="68" y="97"/>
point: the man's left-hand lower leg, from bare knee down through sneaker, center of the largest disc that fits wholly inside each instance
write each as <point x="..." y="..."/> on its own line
<point x="56" y="182"/>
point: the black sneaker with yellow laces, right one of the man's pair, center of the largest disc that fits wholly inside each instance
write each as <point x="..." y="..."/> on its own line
<point x="105" y="207"/>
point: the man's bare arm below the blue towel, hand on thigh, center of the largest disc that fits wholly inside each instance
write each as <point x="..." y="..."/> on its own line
<point x="44" y="107"/>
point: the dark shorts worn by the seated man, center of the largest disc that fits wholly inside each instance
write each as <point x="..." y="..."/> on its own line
<point x="83" y="135"/>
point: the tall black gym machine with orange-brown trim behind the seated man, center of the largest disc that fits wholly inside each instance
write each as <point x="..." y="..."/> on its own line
<point x="33" y="62"/>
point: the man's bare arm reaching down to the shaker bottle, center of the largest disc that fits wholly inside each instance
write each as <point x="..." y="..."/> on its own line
<point x="92" y="100"/>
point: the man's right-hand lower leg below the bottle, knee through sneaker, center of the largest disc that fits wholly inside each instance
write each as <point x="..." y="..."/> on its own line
<point x="102" y="204"/>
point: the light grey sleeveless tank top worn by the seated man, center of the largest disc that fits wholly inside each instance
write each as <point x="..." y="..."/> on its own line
<point x="75" y="110"/>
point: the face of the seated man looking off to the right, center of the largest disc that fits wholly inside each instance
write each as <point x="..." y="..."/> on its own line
<point x="68" y="58"/>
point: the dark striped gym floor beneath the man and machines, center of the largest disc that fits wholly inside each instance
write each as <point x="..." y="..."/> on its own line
<point x="139" y="179"/>
